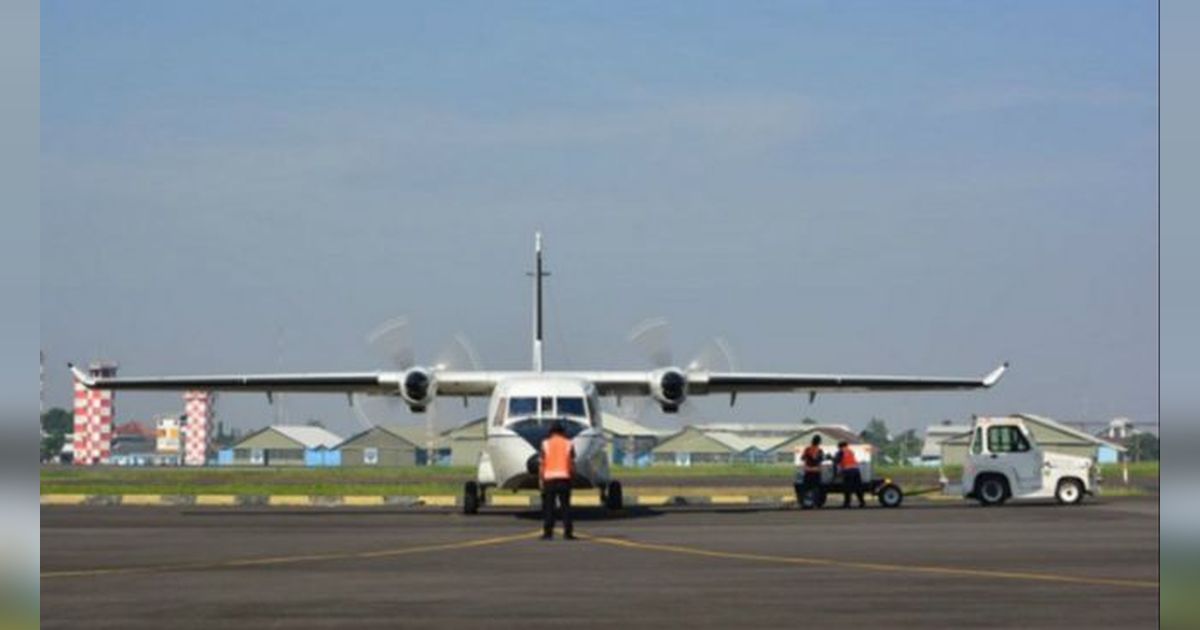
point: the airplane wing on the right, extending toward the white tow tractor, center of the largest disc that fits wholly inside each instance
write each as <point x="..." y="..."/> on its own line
<point x="700" y="383"/>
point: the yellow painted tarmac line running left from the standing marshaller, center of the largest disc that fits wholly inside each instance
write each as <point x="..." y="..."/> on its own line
<point x="292" y="560"/>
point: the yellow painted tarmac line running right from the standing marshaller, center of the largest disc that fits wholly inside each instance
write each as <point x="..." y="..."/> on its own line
<point x="952" y="572"/>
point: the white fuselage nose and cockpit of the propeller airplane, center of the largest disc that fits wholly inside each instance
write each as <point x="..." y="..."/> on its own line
<point x="519" y="418"/>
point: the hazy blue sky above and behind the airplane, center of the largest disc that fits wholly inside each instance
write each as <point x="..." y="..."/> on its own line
<point x="925" y="188"/>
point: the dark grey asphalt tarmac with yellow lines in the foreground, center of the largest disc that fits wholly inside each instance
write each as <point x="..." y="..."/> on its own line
<point x="926" y="565"/>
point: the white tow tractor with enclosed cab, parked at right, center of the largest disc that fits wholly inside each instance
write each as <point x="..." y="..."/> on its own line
<point x="1005" y="463"/>
